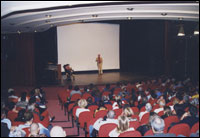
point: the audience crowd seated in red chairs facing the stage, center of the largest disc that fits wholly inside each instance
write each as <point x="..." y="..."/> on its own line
<point x="26" y="116"/>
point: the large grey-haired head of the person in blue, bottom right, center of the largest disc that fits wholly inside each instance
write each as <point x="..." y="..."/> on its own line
<point x="157" y="125"/>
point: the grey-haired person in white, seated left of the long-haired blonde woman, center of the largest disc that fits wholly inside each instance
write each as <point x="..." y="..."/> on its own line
<point x="110" y="118"/>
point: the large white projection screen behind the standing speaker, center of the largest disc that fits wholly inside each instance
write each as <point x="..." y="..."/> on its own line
<point x="79" y="45"/>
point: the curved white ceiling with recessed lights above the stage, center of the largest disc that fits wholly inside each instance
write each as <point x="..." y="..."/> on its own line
<point x="32" y="16"/>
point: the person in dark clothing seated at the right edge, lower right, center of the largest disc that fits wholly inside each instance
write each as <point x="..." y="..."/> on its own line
<point x="190" y="117"/>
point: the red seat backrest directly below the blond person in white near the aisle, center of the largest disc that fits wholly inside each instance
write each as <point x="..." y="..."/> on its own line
<point x="85" y="117"/>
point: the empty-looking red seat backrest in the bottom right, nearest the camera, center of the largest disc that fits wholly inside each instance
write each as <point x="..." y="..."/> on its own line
<point x="180" y="129"/>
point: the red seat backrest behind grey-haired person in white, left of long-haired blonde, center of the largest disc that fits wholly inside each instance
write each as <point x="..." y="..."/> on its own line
<point x="106" y="129"/>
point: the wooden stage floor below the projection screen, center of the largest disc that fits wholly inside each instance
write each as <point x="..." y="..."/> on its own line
<point x="111" y="77"/>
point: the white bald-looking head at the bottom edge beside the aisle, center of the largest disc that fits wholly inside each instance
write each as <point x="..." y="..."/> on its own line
<point x="57" y="131"/>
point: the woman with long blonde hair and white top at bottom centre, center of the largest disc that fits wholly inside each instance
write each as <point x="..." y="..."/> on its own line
<point x="123" y="126"/>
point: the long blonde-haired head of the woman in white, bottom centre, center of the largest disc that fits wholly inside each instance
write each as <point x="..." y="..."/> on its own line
<point x="123" y="124"/>
